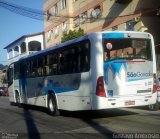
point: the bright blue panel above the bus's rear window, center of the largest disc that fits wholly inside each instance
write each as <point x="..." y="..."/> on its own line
<point x="113" y="35"/>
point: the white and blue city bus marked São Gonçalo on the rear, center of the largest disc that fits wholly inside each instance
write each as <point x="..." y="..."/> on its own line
<point x="98" y="71"/>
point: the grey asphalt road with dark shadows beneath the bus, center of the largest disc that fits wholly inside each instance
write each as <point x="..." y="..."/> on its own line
<point x="31" y="122"/>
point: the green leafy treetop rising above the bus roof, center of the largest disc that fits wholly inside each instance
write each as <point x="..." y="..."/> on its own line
<point x="72" y="35"/>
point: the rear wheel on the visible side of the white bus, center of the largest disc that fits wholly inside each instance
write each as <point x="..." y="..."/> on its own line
<point x="52" y="106"/>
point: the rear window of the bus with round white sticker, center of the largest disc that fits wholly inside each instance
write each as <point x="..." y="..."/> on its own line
<point x="129" y="48"/>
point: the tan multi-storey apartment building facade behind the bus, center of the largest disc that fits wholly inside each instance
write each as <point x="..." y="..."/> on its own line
<point x="100" y="15"/>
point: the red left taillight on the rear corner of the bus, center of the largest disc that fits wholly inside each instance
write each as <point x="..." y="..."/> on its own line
<point x="100" y="91"/>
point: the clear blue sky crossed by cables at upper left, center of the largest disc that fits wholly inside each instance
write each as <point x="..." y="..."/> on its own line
<point x="13" y="26"/>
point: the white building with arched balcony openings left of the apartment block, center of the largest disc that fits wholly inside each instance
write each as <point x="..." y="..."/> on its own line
<point x="24" y="46"/>
